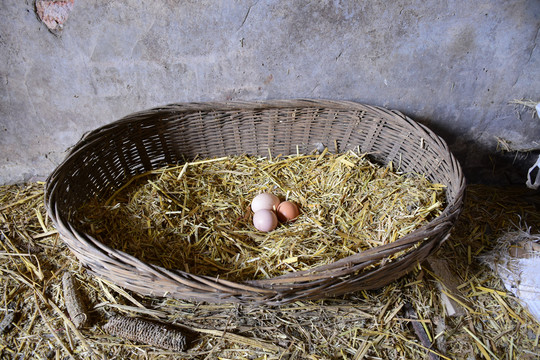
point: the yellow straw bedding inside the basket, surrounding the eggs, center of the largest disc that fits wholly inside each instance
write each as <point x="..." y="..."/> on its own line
<point x="197" y="216"/>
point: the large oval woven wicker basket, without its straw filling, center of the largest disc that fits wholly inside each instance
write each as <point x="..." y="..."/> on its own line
<point x="108" y="157"/>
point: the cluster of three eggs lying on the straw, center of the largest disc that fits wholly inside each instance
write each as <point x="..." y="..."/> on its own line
<point x="268" y="209"/>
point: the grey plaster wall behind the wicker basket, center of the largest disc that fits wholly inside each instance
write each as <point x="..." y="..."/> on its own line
<point x="453" y="65"/>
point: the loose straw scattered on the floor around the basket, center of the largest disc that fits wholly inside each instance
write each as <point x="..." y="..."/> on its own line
<point x="34" y="322"/>
